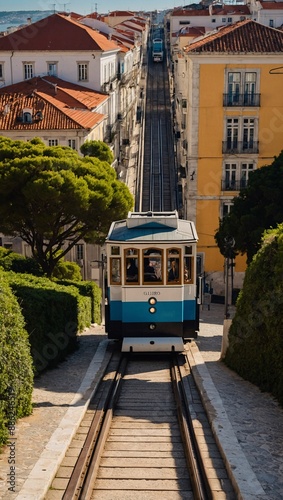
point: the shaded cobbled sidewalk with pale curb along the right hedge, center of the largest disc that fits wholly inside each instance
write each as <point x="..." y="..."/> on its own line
<point x="253" y="438"/>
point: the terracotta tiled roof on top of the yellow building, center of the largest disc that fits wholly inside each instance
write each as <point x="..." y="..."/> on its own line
<point x="242" y="37"/>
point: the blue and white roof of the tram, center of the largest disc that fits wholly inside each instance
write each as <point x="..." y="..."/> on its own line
<point x="155" y="227"/>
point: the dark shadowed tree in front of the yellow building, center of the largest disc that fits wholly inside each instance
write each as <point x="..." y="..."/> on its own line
<point x="258" y="207"/>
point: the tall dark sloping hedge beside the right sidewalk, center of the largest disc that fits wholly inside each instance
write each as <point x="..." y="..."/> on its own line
<point x="256" y="335"/>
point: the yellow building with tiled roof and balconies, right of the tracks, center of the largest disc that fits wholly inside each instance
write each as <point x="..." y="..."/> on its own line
<point x="229" y="111"/>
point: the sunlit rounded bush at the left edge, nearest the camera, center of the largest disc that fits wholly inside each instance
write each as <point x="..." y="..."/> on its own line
<point x="16" y="372"/>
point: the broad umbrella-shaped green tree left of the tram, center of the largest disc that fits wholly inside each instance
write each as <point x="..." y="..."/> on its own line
<point x="52" y="198"/>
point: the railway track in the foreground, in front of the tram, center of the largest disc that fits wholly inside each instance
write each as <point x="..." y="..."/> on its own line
<point x="145" y="435"/>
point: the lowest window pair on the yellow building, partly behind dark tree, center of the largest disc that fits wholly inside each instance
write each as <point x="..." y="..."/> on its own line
<point x="236" y="175"/>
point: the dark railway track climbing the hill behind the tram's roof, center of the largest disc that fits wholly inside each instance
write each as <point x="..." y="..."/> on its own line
<point x="158" y="186"/>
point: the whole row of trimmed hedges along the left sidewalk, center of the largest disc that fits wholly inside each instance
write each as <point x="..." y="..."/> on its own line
<point x="39" y="322"/>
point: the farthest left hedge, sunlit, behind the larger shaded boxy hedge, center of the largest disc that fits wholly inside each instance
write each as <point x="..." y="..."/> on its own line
<point x="88" y="289"/>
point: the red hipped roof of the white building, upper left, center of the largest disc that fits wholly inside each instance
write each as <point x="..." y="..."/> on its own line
<point x="56" y="32"/>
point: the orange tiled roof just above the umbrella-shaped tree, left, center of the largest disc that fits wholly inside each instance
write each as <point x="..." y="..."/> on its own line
<point x="63" y="106"/>
